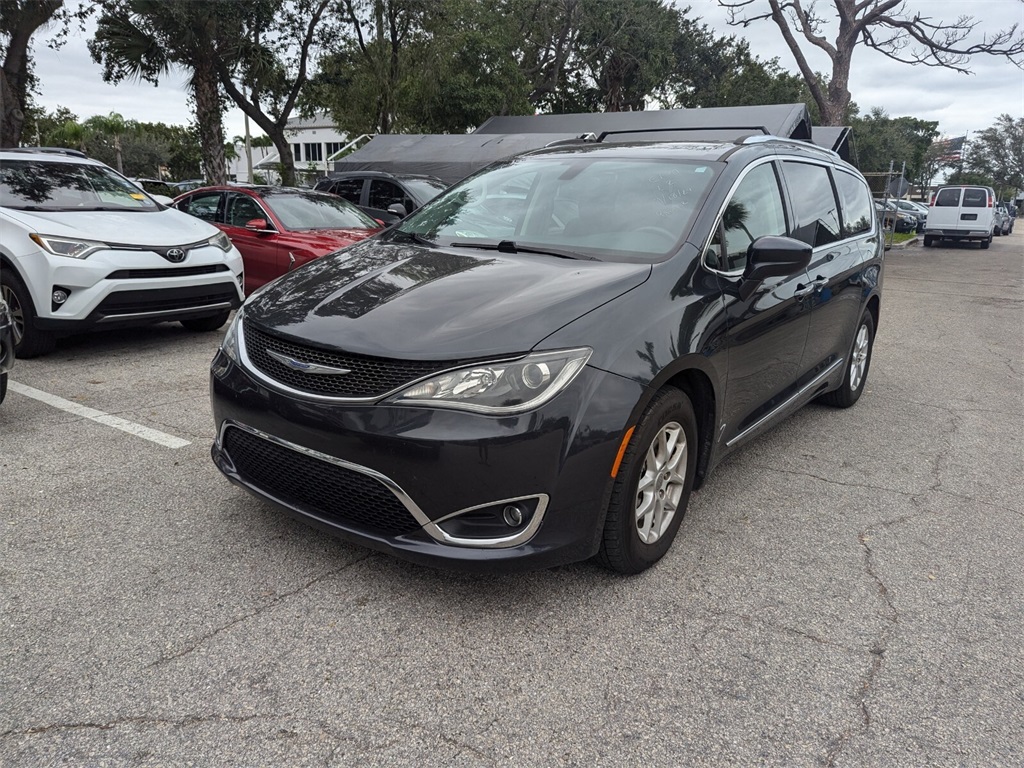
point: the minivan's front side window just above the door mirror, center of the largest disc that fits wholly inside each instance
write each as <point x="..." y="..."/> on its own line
<point x="755" y="210"/>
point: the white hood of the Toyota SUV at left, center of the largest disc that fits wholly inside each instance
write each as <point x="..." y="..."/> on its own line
<point x="141" y="228"/>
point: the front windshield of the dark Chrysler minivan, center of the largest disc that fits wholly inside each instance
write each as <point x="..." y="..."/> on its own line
<point x="598" y="207"/>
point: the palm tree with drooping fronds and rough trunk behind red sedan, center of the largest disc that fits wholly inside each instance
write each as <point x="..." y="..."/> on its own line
<point x="145" y="39"/>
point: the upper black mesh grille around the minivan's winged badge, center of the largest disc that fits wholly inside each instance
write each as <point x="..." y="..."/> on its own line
<point x="368" y="377"/>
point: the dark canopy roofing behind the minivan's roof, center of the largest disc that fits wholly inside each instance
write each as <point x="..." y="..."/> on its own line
<point x="453" y="157"/>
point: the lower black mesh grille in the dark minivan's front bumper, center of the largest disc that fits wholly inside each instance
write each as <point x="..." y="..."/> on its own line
<point x="311" y="485"/>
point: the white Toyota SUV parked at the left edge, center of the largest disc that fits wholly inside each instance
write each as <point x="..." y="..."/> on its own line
<point x="83" y="247"/>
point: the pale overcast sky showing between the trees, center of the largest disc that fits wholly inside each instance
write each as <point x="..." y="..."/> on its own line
<point x="960" y="103"/>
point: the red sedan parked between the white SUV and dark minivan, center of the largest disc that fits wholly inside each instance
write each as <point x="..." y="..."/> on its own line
<point x="278" y="229"/>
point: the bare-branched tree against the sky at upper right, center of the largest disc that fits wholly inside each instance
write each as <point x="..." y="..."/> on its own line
<point x="887" y="26"/>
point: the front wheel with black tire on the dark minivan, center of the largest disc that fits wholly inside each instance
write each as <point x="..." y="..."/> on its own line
<point x="623" y="549"/>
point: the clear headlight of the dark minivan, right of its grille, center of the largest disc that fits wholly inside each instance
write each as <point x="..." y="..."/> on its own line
<point x="500" y="389"/>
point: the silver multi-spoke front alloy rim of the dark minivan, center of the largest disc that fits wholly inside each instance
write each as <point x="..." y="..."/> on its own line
<point x="662" y="483"/>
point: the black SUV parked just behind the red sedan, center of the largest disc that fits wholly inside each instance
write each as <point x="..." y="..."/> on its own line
<point x="378" y="193"/>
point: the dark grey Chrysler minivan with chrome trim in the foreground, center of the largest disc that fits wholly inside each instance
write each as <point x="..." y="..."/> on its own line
<point x="539" y="366"/>
